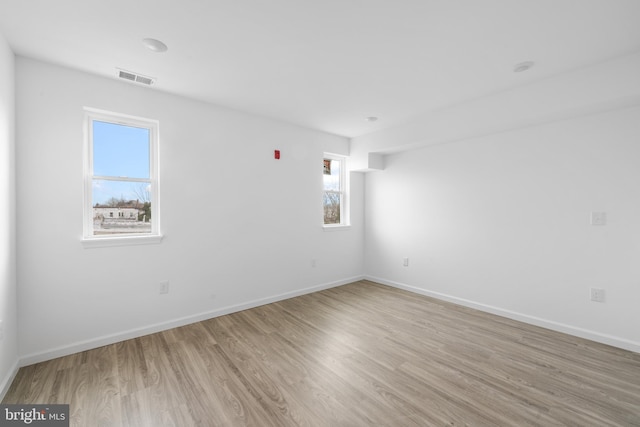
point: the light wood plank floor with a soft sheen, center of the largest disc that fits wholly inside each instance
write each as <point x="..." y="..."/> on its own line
<point x="357" y="355"/>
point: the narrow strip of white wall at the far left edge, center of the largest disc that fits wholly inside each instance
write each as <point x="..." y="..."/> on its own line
<point x="8" y="302"/>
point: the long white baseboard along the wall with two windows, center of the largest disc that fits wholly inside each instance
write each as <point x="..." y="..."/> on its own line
<point x="163" y="326"/>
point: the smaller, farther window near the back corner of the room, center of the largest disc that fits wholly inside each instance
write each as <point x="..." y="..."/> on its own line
<point x="334" y="190"/>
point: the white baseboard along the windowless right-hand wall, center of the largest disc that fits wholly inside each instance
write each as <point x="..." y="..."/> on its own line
<point x="544" y="323"/>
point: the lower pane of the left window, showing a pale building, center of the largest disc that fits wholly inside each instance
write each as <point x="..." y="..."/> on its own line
<point x="121" y="207"/>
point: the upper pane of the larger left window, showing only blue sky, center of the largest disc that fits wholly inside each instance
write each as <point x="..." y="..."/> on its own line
<point x="119" y="150"/>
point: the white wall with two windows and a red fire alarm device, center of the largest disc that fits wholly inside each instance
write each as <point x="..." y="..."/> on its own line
<point x="254" y="228"/>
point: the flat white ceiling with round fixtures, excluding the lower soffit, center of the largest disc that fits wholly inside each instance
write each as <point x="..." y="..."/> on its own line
<point x="326" y="64"/>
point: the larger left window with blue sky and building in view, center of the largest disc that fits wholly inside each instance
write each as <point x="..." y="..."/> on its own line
<point x="121" y="178"/>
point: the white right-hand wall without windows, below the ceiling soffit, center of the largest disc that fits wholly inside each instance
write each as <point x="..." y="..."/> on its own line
<point x="501" y="223"/>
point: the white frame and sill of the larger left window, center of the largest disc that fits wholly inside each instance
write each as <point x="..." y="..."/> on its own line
<point x="89" y="240"/>
